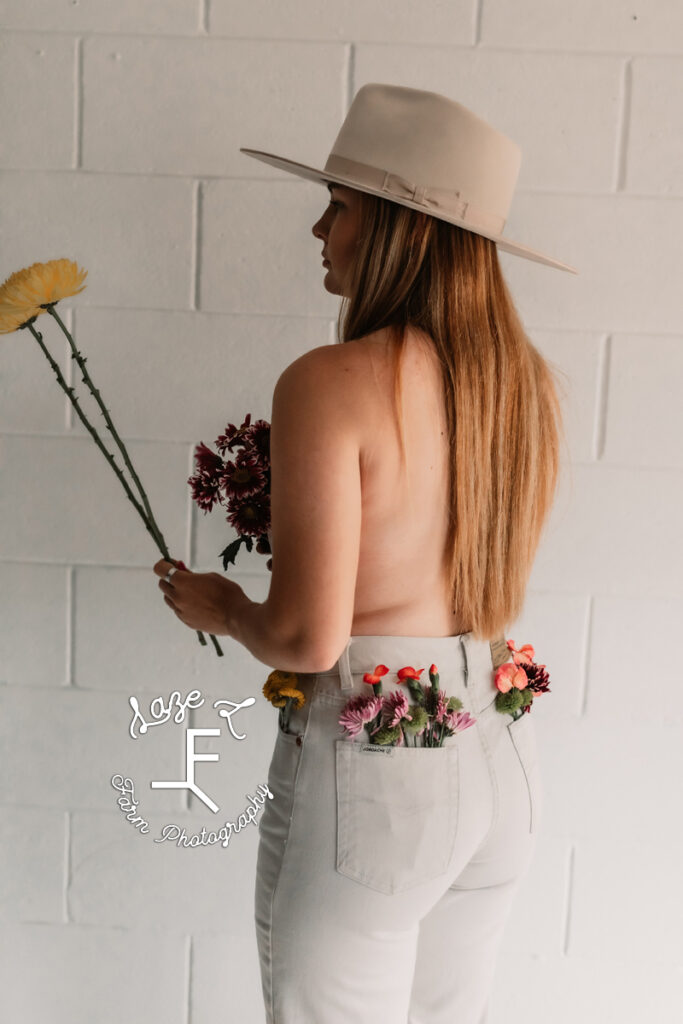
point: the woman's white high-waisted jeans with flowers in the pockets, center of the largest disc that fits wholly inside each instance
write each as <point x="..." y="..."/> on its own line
<point x="385" y="881"/>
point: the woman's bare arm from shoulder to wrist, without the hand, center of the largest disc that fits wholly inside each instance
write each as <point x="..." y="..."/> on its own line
<point x="316" y="516"/>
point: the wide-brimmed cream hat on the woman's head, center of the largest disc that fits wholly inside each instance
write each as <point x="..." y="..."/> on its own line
<point x="426" y="152"/>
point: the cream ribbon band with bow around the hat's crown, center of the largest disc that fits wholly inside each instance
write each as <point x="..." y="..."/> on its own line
<point x="447" y="200"/>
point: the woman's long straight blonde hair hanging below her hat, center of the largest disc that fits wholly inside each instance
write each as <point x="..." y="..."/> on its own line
<point x="503" y="410"/>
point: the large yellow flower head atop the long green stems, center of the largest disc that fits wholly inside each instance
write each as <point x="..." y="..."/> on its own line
<point x="23" y="294"/>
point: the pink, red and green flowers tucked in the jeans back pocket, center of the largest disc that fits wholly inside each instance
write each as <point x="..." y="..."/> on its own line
<point x="393" y="720"/>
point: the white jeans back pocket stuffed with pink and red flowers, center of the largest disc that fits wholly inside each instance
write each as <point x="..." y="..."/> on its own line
<point x="397" y="814"/>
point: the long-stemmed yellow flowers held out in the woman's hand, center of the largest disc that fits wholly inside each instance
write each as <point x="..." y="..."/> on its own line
<point x="25" y="296"/>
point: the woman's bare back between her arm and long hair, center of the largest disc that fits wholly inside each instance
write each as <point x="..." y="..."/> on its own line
<point x="401" y="584"/>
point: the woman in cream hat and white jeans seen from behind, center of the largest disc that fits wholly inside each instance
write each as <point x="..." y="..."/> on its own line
<point x="413" y="468"/>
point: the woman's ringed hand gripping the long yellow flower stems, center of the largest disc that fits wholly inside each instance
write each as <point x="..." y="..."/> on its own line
<point x="204" y="602"/>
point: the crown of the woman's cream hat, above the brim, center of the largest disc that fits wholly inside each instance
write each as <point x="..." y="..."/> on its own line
<point x="432" y="141"/>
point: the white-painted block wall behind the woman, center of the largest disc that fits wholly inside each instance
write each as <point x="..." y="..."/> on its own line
<point x="120" y="131"/>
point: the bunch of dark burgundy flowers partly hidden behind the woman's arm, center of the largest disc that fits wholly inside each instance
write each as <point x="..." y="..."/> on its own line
<point x="242" y="485"/>
